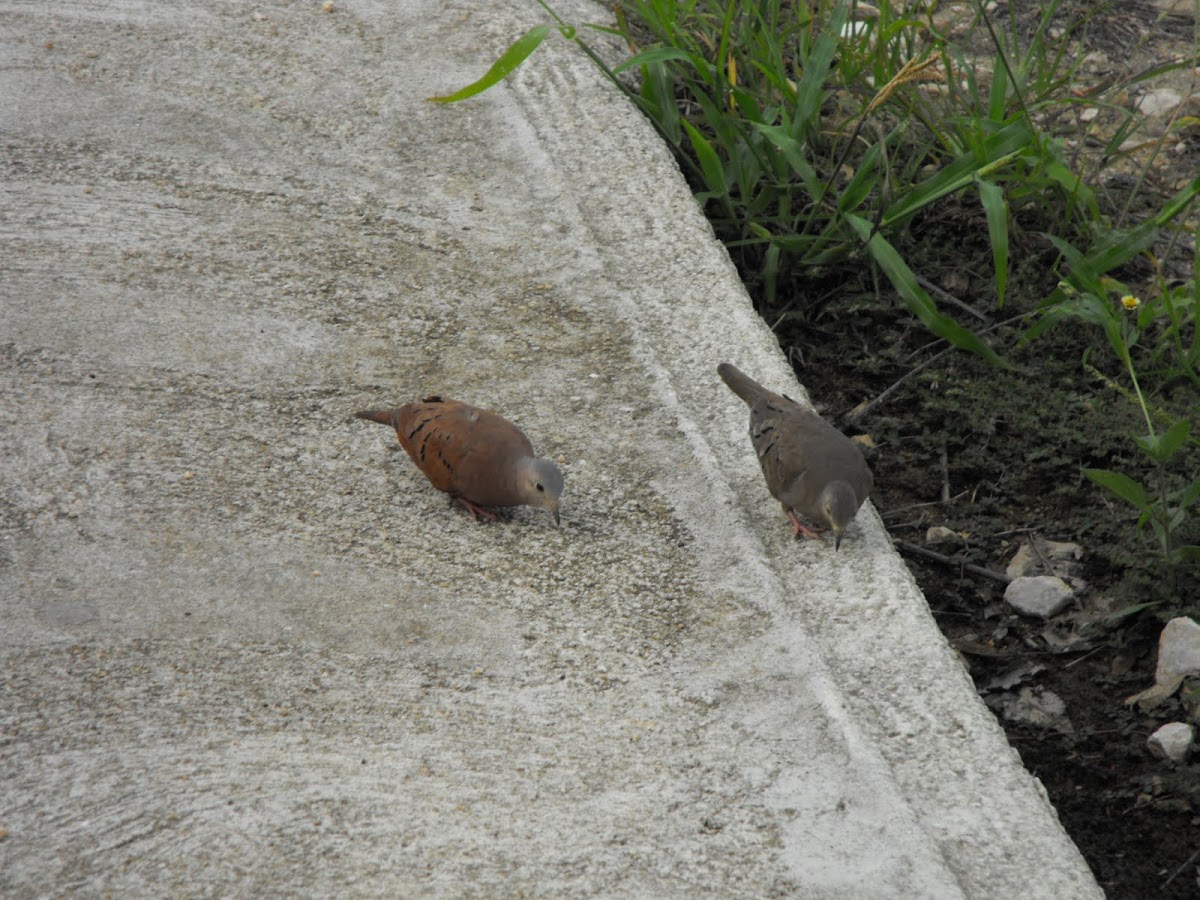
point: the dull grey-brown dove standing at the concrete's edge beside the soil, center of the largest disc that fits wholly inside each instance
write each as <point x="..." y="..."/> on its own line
<point x="811" y="467"/>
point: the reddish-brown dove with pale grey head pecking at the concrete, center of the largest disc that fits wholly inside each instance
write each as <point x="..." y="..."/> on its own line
<point x="478" y="458"/>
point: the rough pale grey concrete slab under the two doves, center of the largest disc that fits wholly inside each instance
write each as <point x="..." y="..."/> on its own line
<point x="248" y="650"/>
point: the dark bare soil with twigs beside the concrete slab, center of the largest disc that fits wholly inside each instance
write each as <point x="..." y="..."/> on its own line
<point x="1007" y="448"/>
